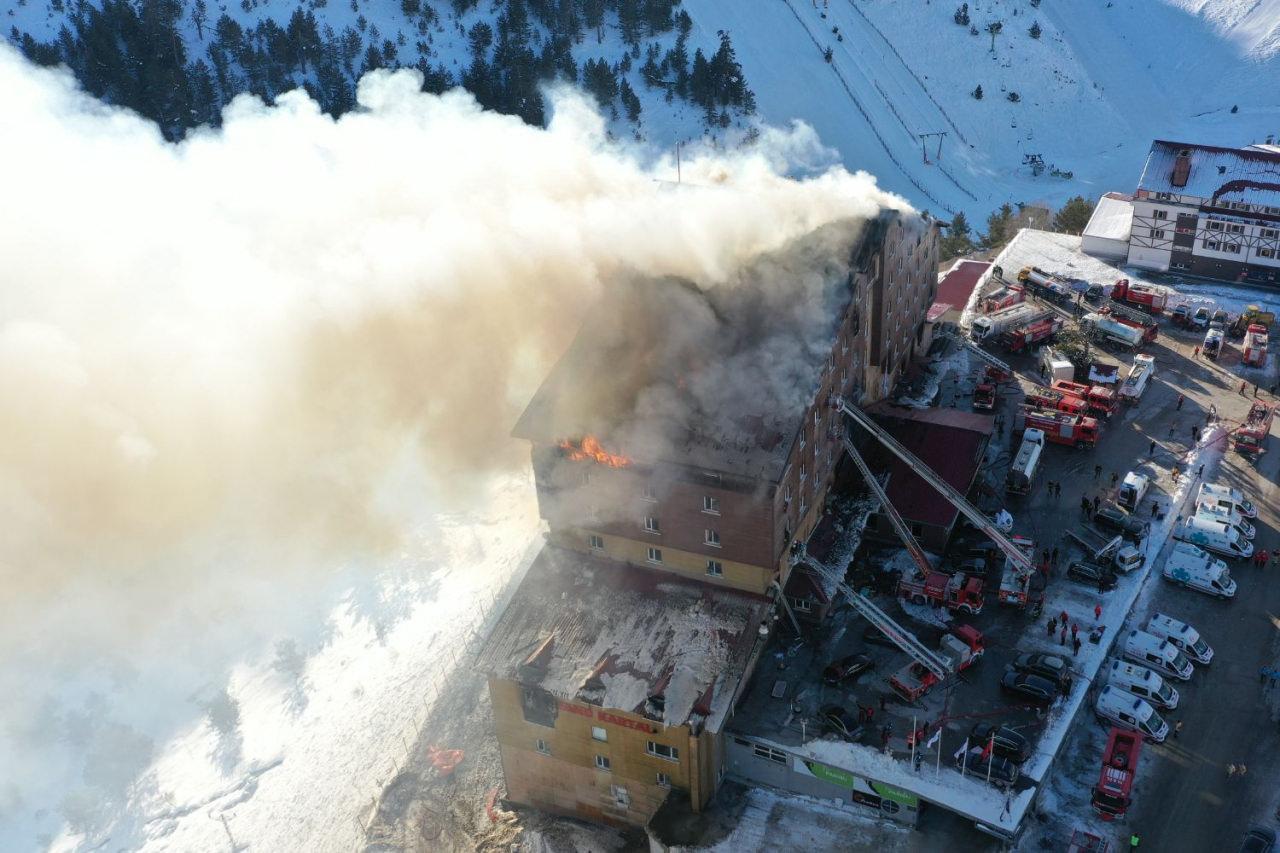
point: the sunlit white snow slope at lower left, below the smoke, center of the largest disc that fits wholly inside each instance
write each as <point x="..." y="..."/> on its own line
<point x="290" y="749"/>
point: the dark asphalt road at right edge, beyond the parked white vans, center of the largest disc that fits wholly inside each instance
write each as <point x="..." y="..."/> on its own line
<point x="1185" y="799"/>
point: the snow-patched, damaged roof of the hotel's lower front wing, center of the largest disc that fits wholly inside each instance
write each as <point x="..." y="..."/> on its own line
<point x="614" y="636"/>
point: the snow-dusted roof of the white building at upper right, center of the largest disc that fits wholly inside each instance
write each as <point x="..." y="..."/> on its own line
<point x="1238" y="175"/>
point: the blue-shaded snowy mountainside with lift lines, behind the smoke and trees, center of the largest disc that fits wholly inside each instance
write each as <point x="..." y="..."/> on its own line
<point x="1094" y="90"/>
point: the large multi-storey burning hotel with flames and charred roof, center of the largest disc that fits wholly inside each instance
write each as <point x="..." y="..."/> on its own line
<point x="680" y="448"/>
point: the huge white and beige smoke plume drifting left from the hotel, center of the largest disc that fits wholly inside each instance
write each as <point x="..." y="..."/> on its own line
<point x="220" y="359"/>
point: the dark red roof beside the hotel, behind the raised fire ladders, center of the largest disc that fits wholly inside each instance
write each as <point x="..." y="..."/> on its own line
<point x="949" y="441"/>
